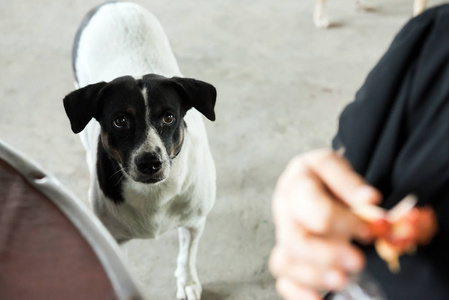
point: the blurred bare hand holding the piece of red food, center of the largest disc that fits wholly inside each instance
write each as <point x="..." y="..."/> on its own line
<point x="315" y="226"/>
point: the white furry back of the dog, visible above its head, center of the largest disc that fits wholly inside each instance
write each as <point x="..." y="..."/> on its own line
<point x="123" y="39"/>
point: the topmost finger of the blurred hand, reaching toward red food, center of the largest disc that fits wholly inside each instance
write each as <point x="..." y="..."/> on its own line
<point x="339" y="176"/>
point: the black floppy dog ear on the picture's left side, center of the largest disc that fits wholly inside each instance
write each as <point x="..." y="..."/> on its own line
<point x="82" y="105"/>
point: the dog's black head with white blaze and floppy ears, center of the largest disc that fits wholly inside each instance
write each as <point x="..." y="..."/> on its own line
<point x="142" y="125"/>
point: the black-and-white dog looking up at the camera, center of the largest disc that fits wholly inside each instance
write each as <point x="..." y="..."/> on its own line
<point x="147" y="150"/>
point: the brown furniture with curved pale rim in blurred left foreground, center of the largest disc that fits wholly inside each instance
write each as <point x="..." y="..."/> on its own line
<point x="51" y="245"/>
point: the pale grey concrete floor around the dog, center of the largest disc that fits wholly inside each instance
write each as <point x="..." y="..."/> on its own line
<point x="281" y="85"/>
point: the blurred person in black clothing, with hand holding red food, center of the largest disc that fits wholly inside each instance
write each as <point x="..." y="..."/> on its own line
<point x="395" y="137"/>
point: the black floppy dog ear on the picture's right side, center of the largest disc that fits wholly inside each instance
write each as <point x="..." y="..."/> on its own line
<point x="198" y="94"/>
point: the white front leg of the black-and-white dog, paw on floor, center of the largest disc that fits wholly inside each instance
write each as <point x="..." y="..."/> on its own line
<point x="189" y="286"/>
